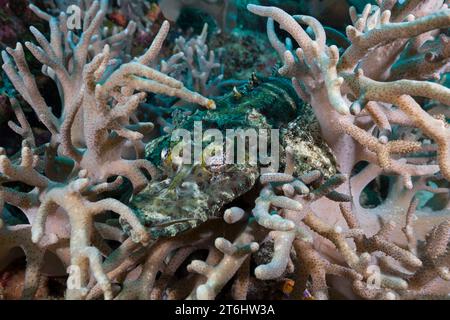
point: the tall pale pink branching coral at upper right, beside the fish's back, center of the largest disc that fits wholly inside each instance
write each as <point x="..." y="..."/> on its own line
<point x="335" y="84"/>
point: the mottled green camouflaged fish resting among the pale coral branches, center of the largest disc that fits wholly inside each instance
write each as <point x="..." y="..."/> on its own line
<point x="191" y="194"/>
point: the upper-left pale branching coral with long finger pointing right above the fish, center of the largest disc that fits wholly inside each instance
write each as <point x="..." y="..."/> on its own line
<point x="96" y="114"/>
